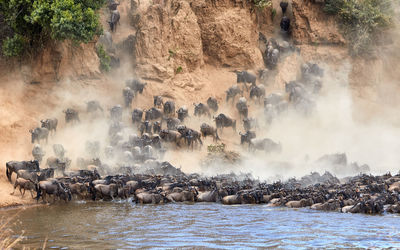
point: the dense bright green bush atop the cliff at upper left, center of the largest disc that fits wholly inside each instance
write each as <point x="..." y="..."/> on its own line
<point x="37" y="21"/>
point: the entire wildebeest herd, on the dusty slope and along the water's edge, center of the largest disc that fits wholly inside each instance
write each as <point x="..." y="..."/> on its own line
<point x="143" y="177"/>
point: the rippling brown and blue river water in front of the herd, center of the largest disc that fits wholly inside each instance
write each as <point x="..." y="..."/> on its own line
<point x="105" y="225"/>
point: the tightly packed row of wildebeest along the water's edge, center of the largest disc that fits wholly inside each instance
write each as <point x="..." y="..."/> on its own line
<point x="360" y="194"/>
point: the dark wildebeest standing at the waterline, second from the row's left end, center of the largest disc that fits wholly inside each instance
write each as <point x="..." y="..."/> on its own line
<point x="55" y="188"/>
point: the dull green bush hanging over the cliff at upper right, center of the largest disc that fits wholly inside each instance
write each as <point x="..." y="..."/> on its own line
<point x="362" y="20"/>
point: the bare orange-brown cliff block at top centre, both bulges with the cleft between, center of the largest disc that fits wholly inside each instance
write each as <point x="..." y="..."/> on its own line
<point x="181" y="36"/>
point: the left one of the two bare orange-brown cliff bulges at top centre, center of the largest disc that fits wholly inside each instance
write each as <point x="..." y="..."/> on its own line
<point x="168" y="41"/>
